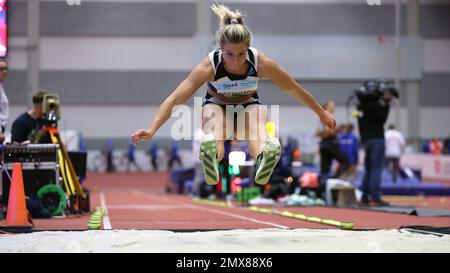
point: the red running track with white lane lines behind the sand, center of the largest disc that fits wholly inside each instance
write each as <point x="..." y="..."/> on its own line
<point x="139" y="201"/>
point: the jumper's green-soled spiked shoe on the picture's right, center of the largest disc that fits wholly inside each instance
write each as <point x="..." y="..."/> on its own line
<point x="267" y="160"/>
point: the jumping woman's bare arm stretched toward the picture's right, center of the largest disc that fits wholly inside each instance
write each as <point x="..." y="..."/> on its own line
<point x="267" y="68"/>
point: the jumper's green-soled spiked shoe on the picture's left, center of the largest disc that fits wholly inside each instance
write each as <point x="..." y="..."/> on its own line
<point x="208" y="157"/>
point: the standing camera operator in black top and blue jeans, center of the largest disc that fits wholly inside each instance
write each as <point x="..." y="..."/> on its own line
<point x="374" y="99"/>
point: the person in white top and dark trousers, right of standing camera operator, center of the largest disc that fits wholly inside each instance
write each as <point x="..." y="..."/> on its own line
<point x="395" y="146"/>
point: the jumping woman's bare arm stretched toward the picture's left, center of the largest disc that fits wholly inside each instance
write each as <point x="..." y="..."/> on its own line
<point x="199" y="75"/>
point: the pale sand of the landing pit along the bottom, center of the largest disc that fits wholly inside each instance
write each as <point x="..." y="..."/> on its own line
<point x="261" y="240"/>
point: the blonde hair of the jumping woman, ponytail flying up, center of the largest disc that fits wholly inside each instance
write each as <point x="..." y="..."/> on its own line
<point x="232" y="28"/>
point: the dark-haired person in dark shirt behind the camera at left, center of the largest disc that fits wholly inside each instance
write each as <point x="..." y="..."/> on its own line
<point x="27" y="126"/>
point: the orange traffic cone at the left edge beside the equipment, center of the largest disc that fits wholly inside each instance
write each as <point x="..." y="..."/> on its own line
<point x="17" y="214"/>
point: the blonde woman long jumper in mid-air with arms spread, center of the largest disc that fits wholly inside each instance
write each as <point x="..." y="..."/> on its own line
<point x="232" y="72"/>
